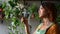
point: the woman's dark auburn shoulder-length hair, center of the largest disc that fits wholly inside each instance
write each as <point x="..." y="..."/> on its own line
<point x="50" y="10"/>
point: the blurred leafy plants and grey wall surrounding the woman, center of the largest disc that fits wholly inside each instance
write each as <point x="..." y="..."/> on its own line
<point x="11" y="12"/>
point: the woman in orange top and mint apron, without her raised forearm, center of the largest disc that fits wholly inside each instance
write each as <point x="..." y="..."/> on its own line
<point x="48" y="13"/>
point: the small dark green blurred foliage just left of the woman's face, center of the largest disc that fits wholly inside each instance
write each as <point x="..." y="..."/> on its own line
<point x="33" y="9"/>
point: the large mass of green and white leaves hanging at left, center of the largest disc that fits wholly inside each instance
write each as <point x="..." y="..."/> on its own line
<point x="12" y="13"/>
